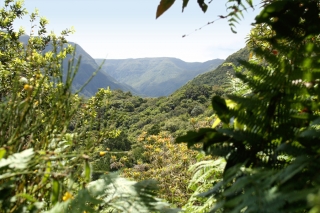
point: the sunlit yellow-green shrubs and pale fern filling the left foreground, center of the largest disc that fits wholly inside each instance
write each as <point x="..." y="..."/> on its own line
<point x="49" y="135"/>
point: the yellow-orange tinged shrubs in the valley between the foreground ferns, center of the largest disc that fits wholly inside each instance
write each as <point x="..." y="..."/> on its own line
<point x="166" y="163"/>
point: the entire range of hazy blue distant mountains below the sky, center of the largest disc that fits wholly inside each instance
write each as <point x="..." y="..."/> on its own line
<point x="151" y="77"/>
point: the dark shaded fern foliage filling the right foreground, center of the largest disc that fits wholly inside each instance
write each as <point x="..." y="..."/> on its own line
<point x="270" y="138"/>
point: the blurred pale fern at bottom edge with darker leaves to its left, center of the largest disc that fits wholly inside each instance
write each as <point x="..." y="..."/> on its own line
<point x="114" y="194"/>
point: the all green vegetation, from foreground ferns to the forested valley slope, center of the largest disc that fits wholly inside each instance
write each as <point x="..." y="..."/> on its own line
<point x="243" y="137"/>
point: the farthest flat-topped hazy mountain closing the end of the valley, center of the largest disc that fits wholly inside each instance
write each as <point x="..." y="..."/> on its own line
<point x="156" y="77"/>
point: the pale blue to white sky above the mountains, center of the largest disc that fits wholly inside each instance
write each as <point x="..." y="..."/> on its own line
<point x="120" y="29"/>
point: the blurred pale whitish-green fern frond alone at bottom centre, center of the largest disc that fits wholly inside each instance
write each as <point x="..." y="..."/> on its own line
<point x="122" y="195"/>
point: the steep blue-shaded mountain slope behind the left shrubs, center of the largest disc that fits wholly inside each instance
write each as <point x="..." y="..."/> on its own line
<point x="87" y="67"/>
